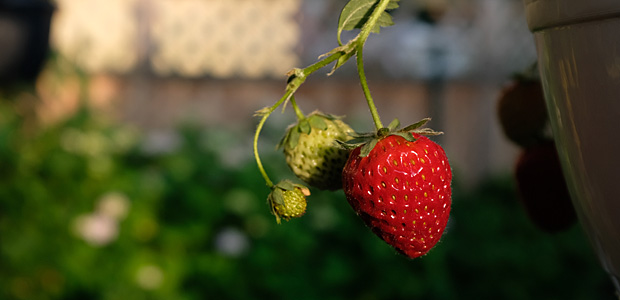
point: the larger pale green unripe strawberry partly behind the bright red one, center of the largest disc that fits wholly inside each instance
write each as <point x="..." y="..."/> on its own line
<point x="312" y="153"/>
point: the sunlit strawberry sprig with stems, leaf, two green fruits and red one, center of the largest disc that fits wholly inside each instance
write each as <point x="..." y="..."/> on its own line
<point x="397" y="181"/>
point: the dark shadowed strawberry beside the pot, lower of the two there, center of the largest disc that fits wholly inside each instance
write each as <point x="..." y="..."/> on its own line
<point x="542" y="188"/>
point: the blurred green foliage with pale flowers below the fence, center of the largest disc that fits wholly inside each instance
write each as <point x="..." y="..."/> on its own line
<point x="87" y="213"/>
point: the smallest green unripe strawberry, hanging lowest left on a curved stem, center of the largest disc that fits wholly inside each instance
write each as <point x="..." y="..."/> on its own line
<point x="288" y="200"/>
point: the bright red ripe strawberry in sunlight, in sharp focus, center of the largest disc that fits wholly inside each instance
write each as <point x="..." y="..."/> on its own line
<point x="401" y="190"/>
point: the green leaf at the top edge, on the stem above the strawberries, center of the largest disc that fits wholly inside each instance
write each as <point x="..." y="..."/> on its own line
<point x="356" y="13"/>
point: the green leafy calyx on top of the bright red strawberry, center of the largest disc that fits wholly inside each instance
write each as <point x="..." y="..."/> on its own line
<point x="369" y="140"/>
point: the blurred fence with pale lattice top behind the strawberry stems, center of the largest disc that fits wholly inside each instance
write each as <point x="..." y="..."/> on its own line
<point x="156" y="63"/>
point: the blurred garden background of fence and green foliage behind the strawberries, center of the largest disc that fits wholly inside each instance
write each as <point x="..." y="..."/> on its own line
<point x="126" y="167"/>
